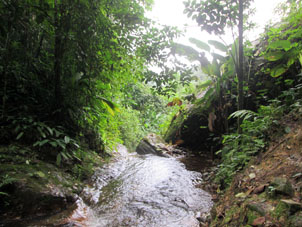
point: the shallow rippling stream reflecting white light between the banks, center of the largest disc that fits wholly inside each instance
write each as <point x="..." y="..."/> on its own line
<point x="141" y="191"/>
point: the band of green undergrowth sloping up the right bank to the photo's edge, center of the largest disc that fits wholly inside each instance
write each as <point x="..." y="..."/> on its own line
<point x="257" y="130"/>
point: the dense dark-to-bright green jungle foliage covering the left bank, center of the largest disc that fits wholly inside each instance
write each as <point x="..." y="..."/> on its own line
<point x="73" y="71"/>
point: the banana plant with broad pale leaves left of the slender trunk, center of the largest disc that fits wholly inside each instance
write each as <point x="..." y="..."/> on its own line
<point x="220" y="70"/>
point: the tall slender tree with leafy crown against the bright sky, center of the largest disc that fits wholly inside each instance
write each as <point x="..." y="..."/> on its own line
<point x="214" y="16"/>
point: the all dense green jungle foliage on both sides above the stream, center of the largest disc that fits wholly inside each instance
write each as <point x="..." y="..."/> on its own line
<point x="79" y="75"/>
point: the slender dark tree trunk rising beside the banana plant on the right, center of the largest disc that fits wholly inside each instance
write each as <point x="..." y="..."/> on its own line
<point x="240" y="72"/>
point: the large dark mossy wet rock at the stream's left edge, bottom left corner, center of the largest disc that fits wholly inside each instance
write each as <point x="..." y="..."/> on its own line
<point x="37" y="194"/>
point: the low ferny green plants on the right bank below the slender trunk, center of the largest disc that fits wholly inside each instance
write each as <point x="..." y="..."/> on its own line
<point x="240" y="148"/>
